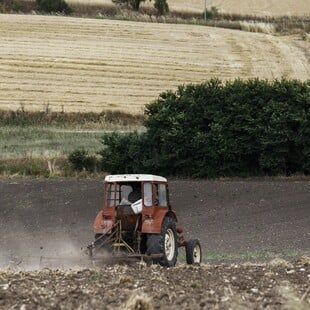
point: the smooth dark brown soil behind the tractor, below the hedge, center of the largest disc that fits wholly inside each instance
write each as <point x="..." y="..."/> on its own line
<point x="47" y="217"/>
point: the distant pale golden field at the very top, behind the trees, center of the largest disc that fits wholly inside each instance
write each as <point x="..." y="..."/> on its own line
<point x="252" y="7"/>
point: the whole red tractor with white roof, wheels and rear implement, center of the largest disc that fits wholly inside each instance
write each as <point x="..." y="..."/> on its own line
<point x="137" y="220"/>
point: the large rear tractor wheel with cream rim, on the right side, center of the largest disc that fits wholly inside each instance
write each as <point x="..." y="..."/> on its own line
<point x="164" y="243"/>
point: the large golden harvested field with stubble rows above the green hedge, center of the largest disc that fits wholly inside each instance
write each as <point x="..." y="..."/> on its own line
<point x="76" y="64"/>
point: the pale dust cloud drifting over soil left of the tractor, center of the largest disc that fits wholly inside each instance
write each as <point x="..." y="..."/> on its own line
<point x="29" y="250"/>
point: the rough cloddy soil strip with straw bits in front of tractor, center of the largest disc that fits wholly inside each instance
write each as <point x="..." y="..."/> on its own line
<point x="272" y="286"/>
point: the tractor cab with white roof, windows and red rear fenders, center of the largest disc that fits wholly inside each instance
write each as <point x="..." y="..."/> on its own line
<point x="140" y="201"/>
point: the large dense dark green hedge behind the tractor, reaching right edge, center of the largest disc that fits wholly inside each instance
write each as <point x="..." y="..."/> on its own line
<point x="238" y="128"/>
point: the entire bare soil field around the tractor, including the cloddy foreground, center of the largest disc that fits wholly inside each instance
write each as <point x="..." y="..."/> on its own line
<point x="45" y="218"/>
